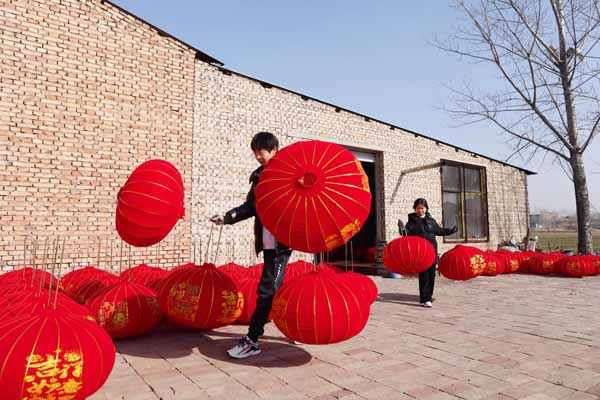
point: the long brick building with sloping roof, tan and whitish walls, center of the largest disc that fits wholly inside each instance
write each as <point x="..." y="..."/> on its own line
<point x="89" y="91"/>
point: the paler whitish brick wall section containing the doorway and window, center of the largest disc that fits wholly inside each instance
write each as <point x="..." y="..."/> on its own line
<point x="230" y="109"/>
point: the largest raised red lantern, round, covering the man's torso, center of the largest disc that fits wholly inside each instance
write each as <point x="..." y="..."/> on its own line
<point x="313" y="196"/>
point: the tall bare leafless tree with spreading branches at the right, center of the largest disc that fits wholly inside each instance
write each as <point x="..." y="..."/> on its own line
<point x="545" y="55"/>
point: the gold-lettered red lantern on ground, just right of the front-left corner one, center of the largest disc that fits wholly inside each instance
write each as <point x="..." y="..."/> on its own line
<point x="126" y="309"/>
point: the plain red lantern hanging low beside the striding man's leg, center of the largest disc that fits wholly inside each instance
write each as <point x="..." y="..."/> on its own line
<point x="319" y="308"/>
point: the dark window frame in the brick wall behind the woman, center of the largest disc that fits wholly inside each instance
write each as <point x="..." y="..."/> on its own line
<point x="485" y="217"/>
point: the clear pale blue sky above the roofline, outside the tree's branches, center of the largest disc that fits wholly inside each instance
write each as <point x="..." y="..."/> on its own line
<point x="370" y="57"/>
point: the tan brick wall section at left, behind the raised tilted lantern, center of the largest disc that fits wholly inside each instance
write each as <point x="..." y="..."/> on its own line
<point x="87" y="93"/>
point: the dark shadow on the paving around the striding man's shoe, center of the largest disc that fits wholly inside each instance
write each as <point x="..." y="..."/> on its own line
<point x="169" y="342"/>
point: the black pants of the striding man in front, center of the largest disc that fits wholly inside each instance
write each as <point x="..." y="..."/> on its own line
<point x="270" y="281"/>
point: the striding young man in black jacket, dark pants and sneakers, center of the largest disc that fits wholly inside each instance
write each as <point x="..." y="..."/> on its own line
<point x="276" y="255"/>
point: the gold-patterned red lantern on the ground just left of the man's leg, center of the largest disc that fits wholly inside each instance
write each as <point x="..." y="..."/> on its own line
<point x="200" y="296"/>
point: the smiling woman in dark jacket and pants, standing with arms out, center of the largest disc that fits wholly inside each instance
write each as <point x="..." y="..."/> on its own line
<point x="421" y="223"/>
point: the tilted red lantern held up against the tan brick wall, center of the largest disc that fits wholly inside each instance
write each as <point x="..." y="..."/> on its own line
<point x="150" y="203"/>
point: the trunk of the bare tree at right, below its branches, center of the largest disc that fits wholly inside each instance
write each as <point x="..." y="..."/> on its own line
<point x="582" y="202"/>
